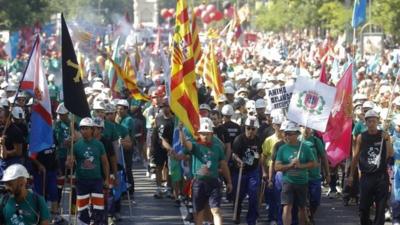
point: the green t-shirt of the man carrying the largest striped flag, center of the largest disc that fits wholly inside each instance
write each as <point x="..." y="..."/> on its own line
<point x="205" y="160"/>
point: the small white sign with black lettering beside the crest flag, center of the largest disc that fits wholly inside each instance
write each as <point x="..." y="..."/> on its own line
<point x="279" y="98"/>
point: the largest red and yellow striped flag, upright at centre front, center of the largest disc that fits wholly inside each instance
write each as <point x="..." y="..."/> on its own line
<point x="183" y="100"/>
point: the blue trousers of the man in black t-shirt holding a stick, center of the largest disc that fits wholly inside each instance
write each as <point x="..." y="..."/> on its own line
<point x="248" y="185"/>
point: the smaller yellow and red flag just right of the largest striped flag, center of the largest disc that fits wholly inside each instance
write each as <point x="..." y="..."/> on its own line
<point x="211" y="75"/>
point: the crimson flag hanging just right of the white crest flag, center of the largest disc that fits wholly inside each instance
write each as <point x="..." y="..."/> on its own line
<point x="338" y="132"/>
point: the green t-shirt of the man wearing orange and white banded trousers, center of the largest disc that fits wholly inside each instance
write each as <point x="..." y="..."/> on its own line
<point x="88" y="158"/>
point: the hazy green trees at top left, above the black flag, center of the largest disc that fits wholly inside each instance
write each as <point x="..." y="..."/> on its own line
<point x="18" y="13"/>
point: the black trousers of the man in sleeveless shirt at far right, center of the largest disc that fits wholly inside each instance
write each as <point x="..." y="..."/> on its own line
<point x="374" y="188"/>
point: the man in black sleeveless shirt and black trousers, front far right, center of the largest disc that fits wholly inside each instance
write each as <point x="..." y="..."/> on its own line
<point x="371" y="154"/>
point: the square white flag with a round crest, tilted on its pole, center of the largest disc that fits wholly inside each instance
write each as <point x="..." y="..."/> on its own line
<point x="311" y="103"/>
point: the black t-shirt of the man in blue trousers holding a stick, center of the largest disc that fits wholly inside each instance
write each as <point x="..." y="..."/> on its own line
<point x="248" y="150"/>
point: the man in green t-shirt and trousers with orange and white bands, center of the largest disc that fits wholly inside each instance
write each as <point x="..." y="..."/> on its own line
<point x="92" y="166"/>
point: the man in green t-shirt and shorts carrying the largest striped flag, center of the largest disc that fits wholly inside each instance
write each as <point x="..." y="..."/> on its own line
<point x="208" y="157"/>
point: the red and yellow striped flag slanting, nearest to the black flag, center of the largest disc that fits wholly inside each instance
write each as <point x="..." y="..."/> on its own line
<point x="127" y="74"/>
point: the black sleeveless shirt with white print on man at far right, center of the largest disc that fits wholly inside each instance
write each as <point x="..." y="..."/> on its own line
<point x="369" y="151"/>
